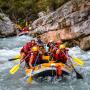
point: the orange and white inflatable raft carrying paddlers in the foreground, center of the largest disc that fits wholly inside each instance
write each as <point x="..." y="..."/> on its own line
<point x="48" y="69"/>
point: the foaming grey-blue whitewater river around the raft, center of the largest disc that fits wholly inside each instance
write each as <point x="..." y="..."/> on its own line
<point x="9" y="47"/>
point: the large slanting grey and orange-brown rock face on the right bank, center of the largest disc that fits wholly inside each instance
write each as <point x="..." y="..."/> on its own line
<point x="71" y="22"/>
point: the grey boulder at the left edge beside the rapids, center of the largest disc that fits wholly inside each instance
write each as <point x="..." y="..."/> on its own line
<point x="6" y="26"/>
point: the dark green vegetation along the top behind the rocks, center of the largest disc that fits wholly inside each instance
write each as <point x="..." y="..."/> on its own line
<point x="25" y="9"/>
